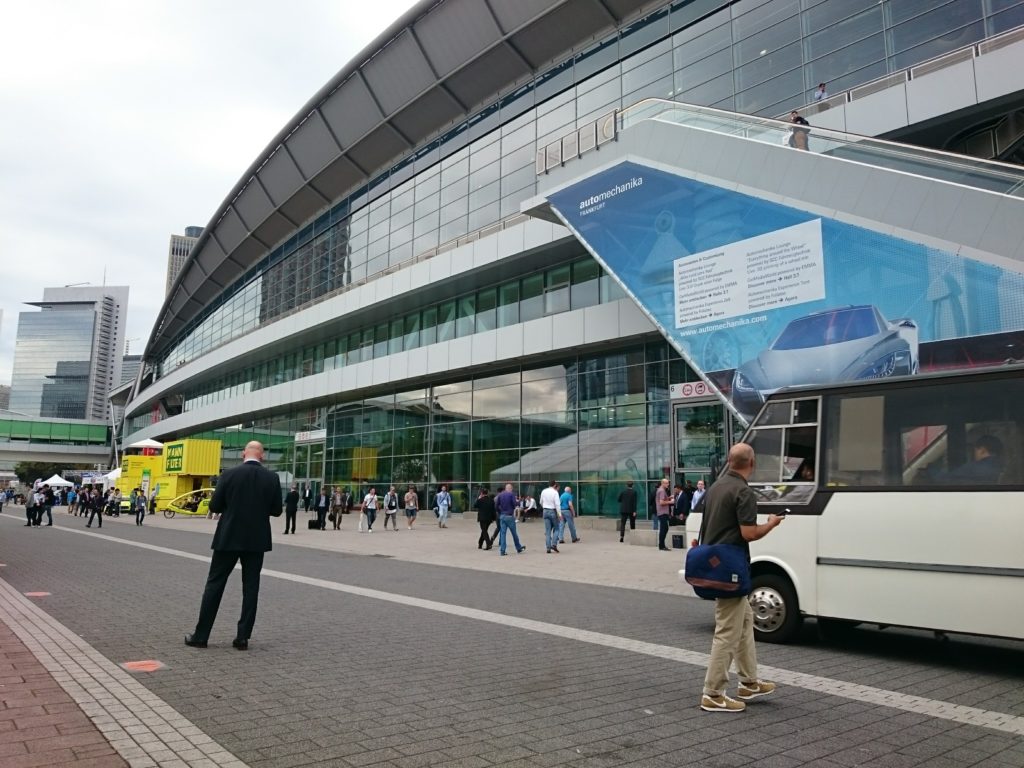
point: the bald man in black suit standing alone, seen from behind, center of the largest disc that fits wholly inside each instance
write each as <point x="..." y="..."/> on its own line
<point x="246" y="499"/>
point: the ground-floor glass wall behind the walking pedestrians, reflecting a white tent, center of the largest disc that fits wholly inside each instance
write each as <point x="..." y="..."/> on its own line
<point x="590" y="421"/>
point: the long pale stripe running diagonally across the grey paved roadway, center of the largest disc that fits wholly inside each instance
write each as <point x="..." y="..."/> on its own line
<point x="929" y="707"/>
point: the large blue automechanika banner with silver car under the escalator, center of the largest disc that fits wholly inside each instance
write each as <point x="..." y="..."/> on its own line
<point x="759" y="296"/>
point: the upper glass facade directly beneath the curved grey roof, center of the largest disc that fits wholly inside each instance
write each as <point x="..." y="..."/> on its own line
<point x="759" y="57"/>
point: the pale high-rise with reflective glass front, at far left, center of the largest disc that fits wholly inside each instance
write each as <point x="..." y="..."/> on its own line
<point x="68" y="356"/>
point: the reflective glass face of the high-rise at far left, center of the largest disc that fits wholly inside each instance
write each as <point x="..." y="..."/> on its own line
<point x="53" y="362"/>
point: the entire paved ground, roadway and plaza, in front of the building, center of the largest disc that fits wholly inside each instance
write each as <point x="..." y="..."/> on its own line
<point x="414" y="649"/>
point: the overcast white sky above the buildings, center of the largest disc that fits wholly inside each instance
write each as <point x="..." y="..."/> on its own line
<point x="124" y="122"/>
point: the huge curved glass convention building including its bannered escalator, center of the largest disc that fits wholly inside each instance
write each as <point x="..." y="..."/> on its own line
<point x="462" y="261"/>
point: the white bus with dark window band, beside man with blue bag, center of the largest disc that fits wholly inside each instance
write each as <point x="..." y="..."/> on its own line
<point x="905" y="504"/>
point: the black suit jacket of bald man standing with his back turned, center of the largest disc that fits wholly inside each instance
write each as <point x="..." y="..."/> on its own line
<point x="246" y="499"/>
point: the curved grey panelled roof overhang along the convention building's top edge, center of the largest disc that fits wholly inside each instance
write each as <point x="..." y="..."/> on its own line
<point x="438" y="65"/>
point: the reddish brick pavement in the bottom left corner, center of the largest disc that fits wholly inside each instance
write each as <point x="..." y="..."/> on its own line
<point x="40" y="724"/>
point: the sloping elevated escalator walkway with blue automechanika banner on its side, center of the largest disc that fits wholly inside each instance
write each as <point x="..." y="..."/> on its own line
<point x="772" y="259"/>
